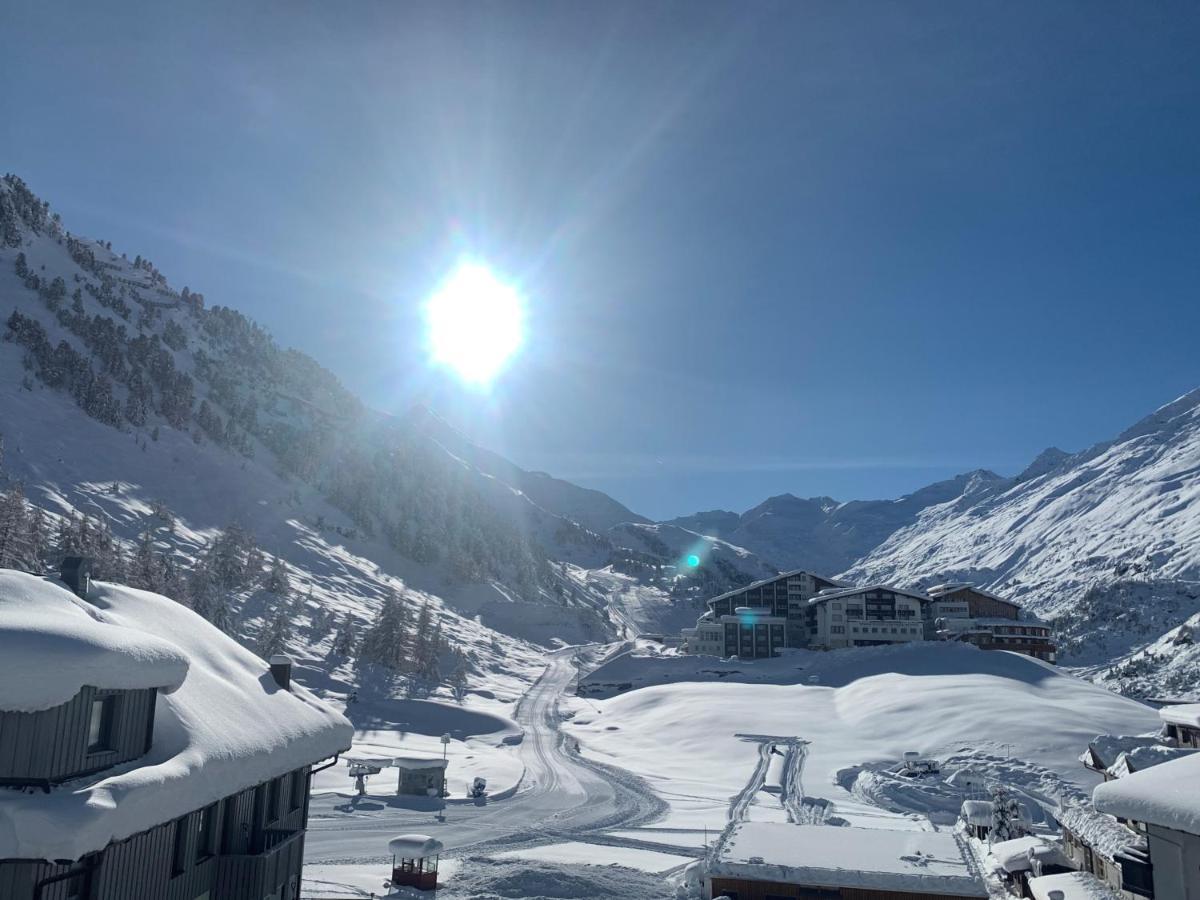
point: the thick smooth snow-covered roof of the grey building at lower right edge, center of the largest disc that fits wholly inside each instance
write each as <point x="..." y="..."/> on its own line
<point x="1167" y="796"/>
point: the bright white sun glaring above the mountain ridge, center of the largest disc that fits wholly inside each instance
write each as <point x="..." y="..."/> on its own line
<point x="475" y="323"/>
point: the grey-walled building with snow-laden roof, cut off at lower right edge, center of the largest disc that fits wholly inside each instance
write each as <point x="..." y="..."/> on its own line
<point x="1163" y="806"/>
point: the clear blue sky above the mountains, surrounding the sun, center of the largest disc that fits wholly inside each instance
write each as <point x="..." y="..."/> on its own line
<point x="814" y="248"/>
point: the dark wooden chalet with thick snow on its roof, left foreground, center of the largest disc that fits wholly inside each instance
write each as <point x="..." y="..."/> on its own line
<point x="152" y="757"/>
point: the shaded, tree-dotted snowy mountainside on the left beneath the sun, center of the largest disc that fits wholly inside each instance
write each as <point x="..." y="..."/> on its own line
<point x="139" y="404"/>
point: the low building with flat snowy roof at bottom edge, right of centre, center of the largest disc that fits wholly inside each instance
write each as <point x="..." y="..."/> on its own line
<point x="776" y="861"/>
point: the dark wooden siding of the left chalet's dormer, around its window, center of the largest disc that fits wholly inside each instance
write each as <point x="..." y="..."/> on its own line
<point x="52" y="745"/>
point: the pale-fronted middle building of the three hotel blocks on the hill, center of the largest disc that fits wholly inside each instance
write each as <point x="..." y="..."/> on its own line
<point x="869" y="616"/>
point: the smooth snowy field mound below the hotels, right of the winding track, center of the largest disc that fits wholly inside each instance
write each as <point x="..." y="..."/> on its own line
<point x="699" y="743"/>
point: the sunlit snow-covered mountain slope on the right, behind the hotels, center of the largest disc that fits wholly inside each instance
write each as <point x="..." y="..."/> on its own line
<point x="1106" y="541"/>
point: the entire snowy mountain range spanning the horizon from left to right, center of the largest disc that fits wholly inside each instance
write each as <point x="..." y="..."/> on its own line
<point x="113" y="379"/>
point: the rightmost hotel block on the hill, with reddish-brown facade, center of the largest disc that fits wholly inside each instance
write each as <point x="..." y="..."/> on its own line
<point x="964" y="613"/>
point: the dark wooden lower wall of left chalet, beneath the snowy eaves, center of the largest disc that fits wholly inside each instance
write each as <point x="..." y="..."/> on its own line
<point x="255" y="854"/>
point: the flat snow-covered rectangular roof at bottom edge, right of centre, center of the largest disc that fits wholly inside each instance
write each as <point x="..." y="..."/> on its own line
<point x="830" y="856"/>
